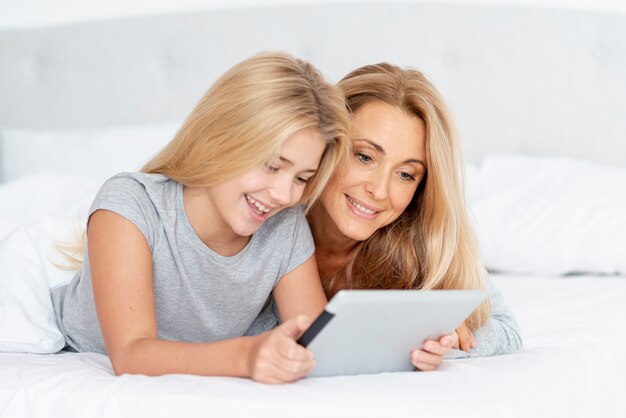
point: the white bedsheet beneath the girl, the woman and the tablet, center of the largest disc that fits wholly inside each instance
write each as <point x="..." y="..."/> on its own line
<point x="572" y="366"/>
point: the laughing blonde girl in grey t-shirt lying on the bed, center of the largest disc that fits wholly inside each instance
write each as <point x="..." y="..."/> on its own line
<point x="182" y="257"/>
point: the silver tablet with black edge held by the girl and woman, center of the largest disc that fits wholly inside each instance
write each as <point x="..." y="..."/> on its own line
<point x="374" y="331"/>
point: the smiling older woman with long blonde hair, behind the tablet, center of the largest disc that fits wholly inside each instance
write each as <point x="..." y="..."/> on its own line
<point x="393" y="216"/>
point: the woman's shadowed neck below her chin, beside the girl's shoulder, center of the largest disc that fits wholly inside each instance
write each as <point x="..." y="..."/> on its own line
<point x="333" y="249"/>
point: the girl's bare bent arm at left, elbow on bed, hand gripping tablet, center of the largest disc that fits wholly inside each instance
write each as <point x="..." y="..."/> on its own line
<point x="121" y="271"/>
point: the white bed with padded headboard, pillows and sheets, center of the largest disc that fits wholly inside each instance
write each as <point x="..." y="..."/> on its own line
<point x="539" y="94"/>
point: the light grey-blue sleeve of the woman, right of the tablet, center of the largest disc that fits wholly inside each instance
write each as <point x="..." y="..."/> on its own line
<point x="499" y="335"/>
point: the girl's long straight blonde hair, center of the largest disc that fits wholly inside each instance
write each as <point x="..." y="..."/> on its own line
<point x="242" y="121"/>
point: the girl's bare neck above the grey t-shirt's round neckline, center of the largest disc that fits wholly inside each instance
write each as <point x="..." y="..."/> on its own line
<point x="205" y="222"/>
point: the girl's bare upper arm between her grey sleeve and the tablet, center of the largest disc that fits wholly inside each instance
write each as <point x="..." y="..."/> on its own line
<point x="300" y="292"/>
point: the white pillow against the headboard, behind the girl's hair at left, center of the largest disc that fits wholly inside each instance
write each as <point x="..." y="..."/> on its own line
<point x="97" y="154"/>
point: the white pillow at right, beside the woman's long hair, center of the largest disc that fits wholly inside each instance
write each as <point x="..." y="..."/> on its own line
<point x="550" y="215"/>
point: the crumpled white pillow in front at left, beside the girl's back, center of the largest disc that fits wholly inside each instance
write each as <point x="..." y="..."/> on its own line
<point x="27" y="272"/>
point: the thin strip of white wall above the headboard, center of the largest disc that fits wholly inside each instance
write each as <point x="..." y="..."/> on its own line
<point x="33" y="13"/>
